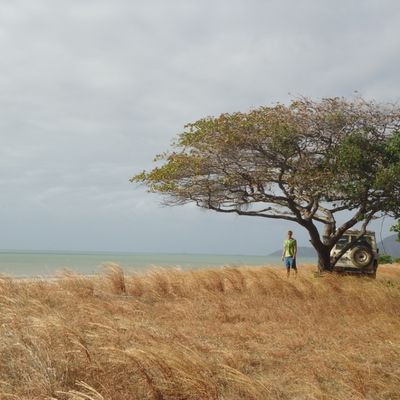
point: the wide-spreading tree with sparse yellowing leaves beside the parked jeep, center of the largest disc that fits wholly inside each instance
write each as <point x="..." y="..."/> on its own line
<point x="308" y="162"/>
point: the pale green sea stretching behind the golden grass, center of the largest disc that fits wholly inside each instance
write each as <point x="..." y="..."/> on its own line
<point x="47" y="263"/>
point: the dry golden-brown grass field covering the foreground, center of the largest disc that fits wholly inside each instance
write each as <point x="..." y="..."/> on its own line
<point x="230" y="333"/>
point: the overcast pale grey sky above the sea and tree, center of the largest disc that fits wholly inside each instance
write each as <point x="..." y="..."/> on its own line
<point x="91" y="91"/>
